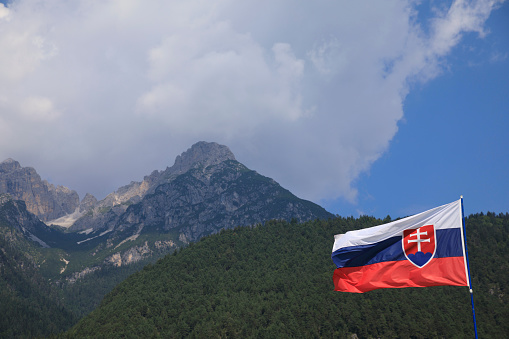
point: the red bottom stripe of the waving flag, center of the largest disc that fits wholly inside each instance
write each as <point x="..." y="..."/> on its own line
<point x="398" y="274"/>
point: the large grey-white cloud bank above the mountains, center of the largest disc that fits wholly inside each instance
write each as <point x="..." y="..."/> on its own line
<point x="94" y="94"/>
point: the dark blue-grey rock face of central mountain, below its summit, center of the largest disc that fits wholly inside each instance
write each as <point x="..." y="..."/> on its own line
<point x="204" y="200"/>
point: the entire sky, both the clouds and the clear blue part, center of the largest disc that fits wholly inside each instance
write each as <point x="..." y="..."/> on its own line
<point x="364" y="107"/>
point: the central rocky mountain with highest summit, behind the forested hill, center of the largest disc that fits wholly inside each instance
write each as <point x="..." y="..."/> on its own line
<point x="205" y="191"/>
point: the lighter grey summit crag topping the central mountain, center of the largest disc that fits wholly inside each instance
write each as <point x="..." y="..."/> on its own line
<point x="202" y="154"/>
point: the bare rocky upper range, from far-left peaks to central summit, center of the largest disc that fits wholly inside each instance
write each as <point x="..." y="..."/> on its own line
<point x="205" y="191"/>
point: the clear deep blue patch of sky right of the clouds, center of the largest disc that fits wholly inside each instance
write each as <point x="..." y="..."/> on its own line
<point x="454" y="139"/>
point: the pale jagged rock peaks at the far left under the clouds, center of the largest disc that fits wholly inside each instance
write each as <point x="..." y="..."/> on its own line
<point x="42" y="198"/>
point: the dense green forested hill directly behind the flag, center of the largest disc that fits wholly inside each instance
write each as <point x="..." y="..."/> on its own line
<point x="275" y="280"/>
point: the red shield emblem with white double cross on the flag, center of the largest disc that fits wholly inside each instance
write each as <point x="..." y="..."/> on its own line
<point x="419" y="245"/>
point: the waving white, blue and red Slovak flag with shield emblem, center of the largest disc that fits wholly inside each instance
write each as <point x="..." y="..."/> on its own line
<point x="426" y="249"/>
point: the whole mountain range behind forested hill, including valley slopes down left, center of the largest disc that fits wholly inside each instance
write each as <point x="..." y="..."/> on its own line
<point x="101" y="242"/>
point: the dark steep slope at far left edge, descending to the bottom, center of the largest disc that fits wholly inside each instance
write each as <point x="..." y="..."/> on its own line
<point x="29" y="305"/>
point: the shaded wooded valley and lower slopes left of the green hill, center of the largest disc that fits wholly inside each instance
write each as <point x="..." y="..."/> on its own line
<point x="33" y="305"/>
